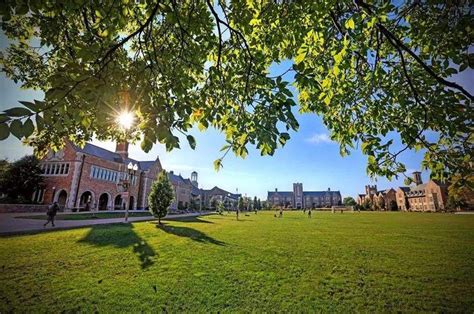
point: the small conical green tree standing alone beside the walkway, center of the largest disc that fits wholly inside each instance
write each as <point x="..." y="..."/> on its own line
<point x="161" y="196"/>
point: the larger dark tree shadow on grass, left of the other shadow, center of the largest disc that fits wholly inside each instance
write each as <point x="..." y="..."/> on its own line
<point x="121" y="236"/>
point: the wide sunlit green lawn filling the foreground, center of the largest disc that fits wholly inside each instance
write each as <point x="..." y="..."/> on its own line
<point x="332" y="262"/>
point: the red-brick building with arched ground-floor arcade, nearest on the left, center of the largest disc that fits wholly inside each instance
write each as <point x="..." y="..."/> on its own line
<point x="93" y="177"/>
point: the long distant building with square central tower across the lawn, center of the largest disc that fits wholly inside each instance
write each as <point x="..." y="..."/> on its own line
<point x="298" y="198"/>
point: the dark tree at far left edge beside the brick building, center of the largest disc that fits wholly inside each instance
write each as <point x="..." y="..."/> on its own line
<point x="20" y="179"/>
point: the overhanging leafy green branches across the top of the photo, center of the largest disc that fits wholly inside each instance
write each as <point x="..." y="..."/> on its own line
<point x="366" y="67"/>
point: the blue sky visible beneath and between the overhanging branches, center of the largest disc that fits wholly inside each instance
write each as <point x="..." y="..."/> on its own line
<point x="310" y="157"/>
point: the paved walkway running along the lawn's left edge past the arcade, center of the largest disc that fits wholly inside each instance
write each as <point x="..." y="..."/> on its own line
<point x="9" y="224"/>
